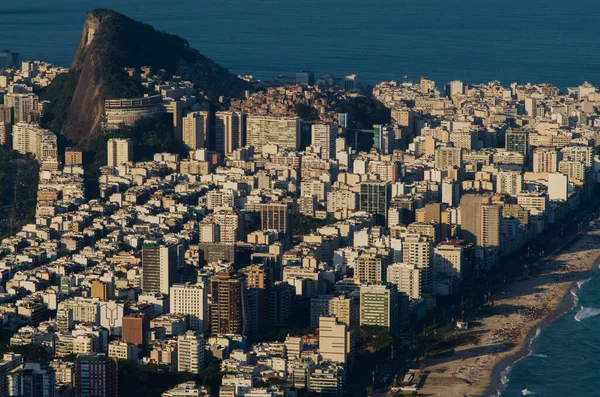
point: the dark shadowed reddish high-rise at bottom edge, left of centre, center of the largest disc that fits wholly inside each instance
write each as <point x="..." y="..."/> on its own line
<point x="95" y="375"/>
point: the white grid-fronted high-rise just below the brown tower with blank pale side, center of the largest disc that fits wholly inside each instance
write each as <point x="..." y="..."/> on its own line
<point x="191" y="300"/>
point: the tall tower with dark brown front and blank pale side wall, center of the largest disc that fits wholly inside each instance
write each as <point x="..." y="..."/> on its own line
<point x="160" y="263"/>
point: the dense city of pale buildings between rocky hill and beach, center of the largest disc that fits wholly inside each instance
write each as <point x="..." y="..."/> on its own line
<point x="184" y="260"/>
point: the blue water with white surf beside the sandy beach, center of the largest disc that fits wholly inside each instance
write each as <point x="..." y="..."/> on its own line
<point x="564" y="358"/>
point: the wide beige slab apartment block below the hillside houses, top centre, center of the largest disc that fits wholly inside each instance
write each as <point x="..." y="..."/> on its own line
<point x="281" y="131"/>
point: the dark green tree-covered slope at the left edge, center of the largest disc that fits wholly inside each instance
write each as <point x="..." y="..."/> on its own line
<point x="19" y="176"/>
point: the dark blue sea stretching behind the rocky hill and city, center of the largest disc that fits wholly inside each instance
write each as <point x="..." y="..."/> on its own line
<point x="473" y="40"/>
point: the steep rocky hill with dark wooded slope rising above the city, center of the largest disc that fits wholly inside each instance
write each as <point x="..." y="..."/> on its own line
<point x="111" y="42"/>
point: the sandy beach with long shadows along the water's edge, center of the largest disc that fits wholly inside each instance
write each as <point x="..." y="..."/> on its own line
<point x="503" y="332"/>
